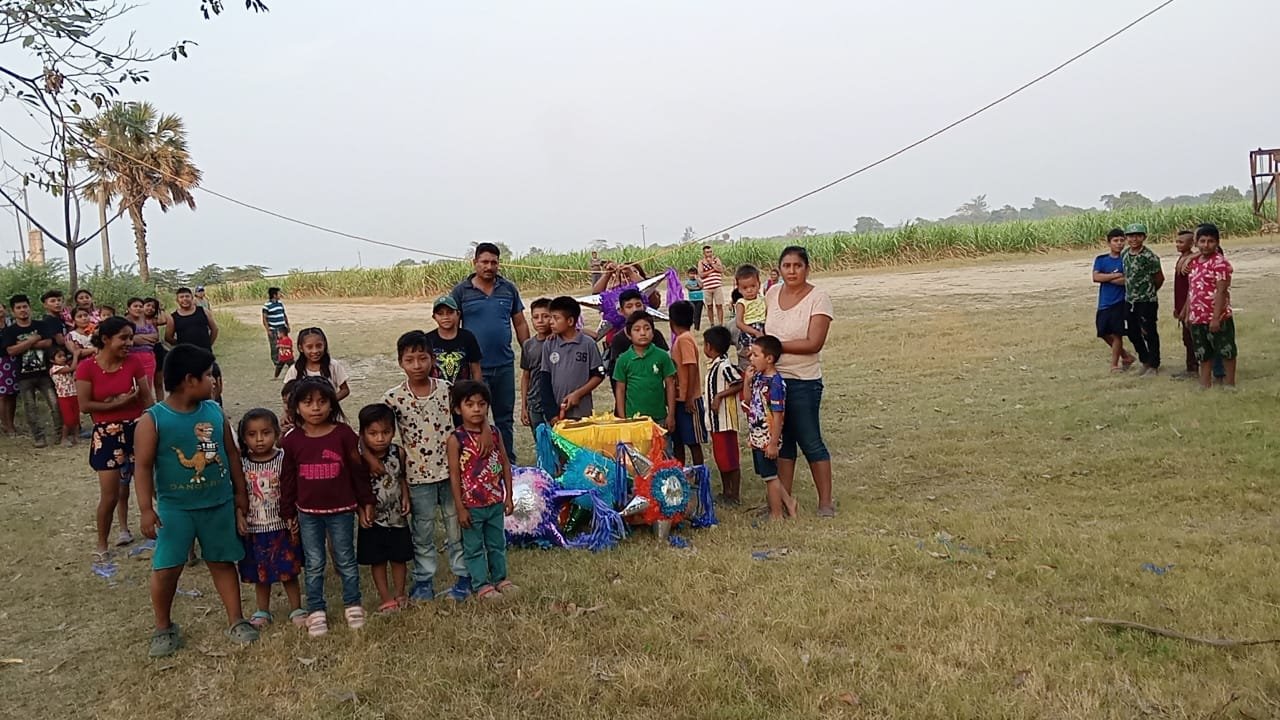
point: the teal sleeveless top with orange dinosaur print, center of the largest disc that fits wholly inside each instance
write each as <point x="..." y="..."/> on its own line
<point x="191" y="467"/>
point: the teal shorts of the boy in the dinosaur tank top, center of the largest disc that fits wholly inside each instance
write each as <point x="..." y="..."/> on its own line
<point x="214" y="527"/>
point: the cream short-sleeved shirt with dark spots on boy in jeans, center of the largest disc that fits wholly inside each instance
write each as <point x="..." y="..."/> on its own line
<point x="424" y="425"/>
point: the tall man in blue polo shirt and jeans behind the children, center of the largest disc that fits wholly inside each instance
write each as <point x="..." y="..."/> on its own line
<point x="491" y="309"/>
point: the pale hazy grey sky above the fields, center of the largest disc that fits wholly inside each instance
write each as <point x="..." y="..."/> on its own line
<point x="554" y="124"/>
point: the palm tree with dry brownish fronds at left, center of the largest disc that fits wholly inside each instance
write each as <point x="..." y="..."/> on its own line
<point x="136" y="156"/>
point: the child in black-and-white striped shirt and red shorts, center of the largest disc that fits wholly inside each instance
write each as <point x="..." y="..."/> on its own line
<point x="724" y="386"/>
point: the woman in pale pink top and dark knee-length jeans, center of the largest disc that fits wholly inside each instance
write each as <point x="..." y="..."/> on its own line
<point x="799" y="316"/>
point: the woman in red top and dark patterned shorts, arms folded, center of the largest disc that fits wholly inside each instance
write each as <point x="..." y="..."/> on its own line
<point x="112" y="388"/>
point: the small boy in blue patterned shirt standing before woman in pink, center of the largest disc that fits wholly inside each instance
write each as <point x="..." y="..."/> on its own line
<point x="766" y="409"/>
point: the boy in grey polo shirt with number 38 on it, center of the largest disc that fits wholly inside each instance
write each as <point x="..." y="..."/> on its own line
<point x="572" y="362"/>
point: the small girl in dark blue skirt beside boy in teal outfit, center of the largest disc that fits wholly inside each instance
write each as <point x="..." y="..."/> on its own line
<point x="272" y="553"/>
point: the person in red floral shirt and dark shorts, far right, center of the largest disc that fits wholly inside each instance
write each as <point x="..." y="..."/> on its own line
<point x="1209" y="307"/>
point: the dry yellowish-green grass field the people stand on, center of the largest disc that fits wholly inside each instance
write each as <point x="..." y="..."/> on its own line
<point x="995" y="485"/>
